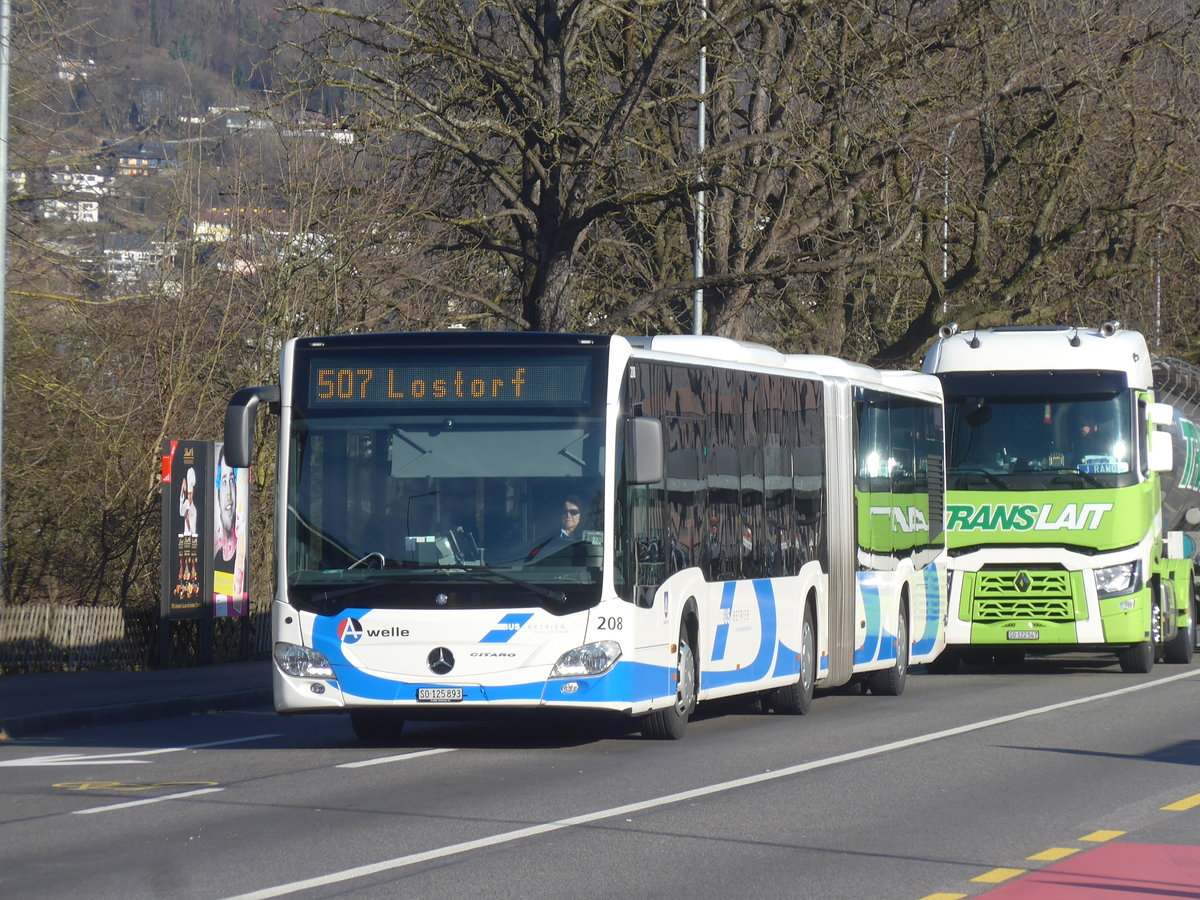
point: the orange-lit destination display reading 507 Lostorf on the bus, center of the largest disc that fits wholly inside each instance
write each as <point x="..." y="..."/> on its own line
<point x="511" y="380"/>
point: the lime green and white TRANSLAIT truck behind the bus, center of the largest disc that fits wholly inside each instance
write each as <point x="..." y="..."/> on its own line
<point x="1058" y="457"/>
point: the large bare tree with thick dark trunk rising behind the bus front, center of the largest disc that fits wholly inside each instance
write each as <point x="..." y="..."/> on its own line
<point x="531" y="115"/>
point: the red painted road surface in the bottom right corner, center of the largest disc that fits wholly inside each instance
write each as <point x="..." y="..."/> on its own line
<point x="1115" y="872"/>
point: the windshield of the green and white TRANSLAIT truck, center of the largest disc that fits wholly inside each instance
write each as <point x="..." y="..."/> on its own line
<point x="1040" y="441"/>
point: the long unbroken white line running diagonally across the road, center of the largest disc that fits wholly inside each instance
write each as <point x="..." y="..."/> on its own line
<point x="682" y="796"/>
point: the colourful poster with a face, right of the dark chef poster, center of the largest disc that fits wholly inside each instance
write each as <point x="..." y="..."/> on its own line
<point x="231" y="538"/>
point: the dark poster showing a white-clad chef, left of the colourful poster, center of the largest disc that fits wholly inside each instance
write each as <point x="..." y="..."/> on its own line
<point x="185" y="501"/>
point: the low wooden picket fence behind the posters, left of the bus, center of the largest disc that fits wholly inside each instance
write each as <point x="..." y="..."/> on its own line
<point x="53" y="639"/>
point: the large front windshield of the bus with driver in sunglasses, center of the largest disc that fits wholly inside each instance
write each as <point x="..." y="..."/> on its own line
<point x="479" y="497"/>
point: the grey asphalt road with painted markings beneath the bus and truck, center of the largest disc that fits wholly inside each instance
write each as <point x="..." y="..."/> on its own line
<point x="945" y="793"/>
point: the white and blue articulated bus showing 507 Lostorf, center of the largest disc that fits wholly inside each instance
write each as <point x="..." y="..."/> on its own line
<point x="749" y="524"/>
